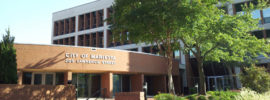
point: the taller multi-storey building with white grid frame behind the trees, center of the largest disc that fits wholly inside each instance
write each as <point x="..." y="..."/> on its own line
<point x="84" y="25"/>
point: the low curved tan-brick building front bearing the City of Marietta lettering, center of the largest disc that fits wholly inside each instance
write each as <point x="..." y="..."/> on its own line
<point x="94" y="71"/>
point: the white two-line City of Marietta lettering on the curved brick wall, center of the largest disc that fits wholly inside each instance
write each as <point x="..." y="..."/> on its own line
<point x="94" y="58"/>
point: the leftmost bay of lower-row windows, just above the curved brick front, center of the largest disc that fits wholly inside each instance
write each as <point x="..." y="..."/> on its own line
<point x="65" y="41"/>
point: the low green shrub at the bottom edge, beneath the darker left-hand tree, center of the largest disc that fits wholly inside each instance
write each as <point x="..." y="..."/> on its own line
<point x="166" y="96"/>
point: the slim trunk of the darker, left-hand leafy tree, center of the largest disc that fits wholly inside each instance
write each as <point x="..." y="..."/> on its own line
<point x="170" y="65"/>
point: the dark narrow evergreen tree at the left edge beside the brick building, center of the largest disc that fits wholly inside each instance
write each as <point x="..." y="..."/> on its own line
<point x="8" y="64"/>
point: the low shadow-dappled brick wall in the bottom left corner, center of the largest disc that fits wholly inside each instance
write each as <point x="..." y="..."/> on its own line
<point x="37" y="92"/>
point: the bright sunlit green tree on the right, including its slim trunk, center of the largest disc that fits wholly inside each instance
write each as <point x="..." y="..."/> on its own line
<point x="212" y="35"/>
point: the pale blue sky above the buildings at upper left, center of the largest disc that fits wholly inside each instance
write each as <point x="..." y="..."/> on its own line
<point x="30" y="21"/>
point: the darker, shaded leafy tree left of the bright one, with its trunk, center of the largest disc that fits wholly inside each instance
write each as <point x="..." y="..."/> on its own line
<point x="152" y="22"/>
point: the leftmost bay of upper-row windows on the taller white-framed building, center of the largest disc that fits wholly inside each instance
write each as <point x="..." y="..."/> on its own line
<point x="64" y="26"/>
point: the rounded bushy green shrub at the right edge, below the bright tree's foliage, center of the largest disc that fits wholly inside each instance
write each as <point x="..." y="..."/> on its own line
<point x="256" y="78"/>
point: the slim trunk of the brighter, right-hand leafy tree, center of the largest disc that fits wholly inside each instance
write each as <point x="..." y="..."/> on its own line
<point x="202" y="86"/>
